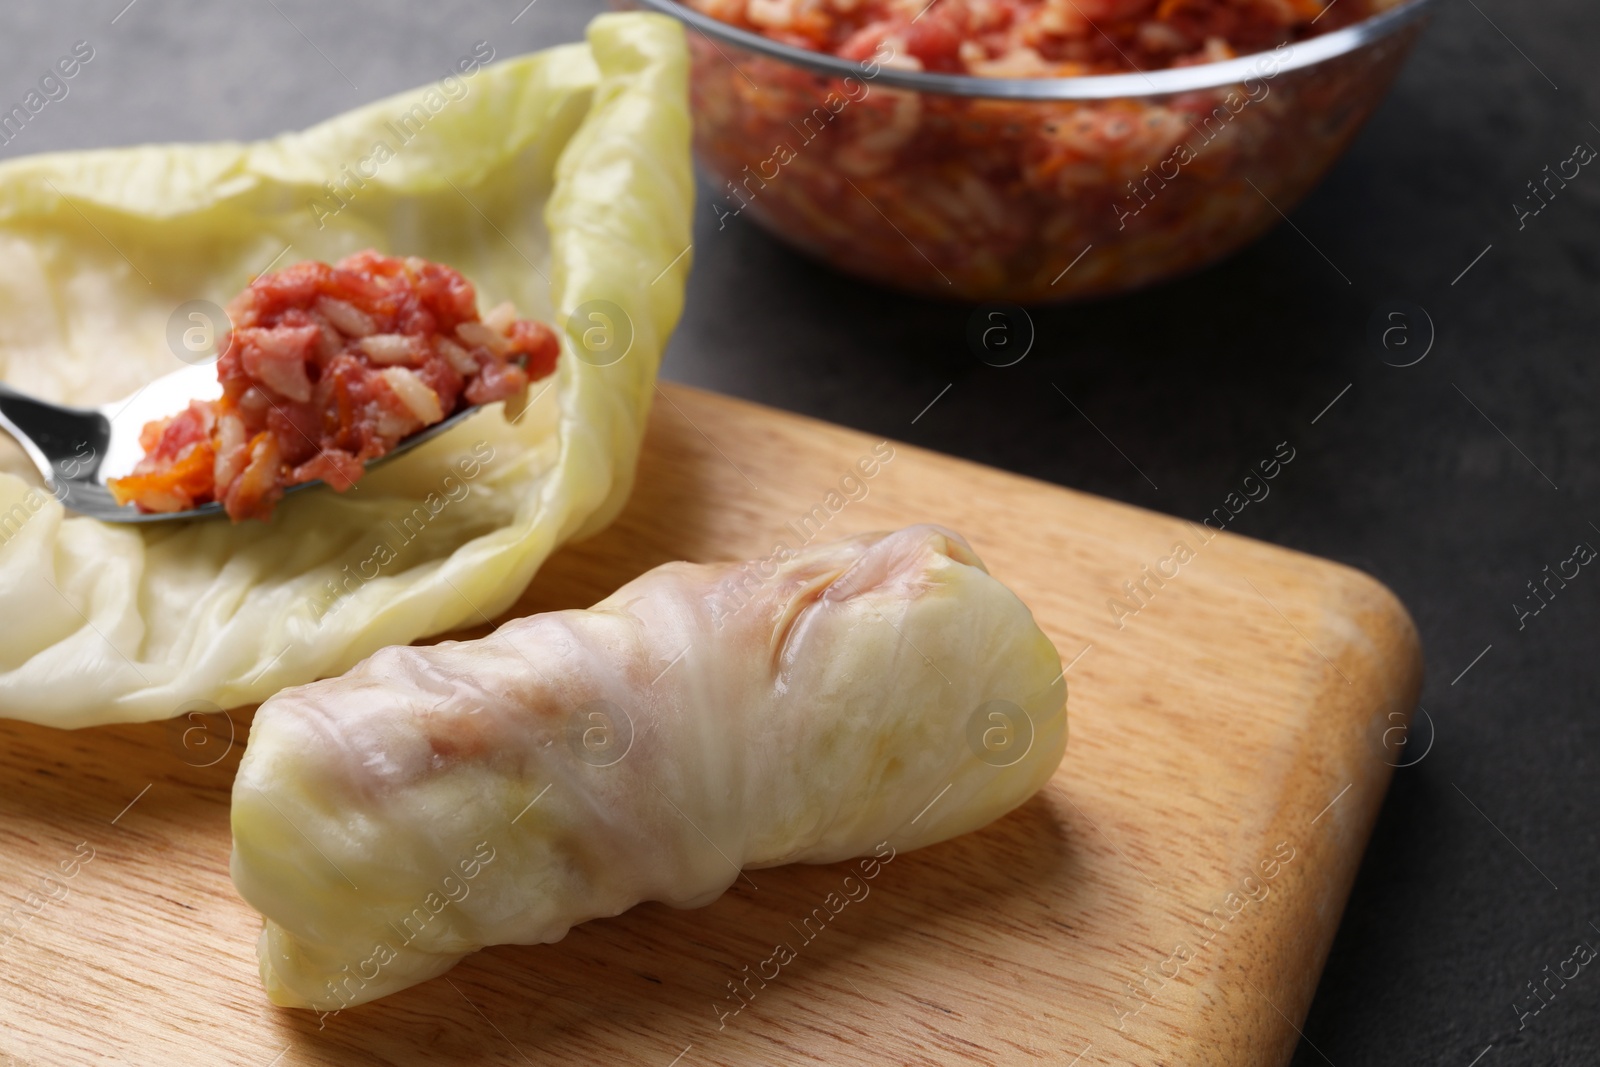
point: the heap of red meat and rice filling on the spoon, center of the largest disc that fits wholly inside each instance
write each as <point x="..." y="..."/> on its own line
<point x="330" y="367"/>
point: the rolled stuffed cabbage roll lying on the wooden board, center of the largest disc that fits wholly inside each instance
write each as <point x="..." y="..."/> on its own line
<point x="702" y="721"/>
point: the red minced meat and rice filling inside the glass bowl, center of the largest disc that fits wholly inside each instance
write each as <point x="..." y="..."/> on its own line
<point x="1023" y="201"/>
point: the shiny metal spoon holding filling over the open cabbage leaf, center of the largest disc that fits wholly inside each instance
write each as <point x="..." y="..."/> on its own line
<point x="81" y="449"/>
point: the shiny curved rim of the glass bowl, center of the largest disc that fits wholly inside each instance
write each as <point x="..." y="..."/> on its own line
<point x="1100" y="87"/>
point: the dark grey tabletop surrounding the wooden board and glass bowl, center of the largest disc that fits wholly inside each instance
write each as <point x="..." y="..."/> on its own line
<point x="1455" y="481"/>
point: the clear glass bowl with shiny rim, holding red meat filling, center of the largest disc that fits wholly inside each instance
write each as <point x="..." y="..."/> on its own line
<point x="1026" y="190"/>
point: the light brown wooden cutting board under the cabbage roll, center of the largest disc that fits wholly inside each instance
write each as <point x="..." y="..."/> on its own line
<point x="1167" y="900"/>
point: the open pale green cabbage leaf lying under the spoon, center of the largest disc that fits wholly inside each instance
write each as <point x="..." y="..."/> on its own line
<point x="559" y="182"/>
